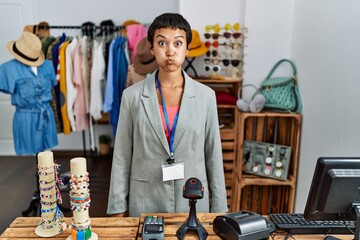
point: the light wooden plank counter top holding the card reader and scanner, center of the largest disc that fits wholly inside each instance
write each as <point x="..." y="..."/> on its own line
<point x="131" y="228"/>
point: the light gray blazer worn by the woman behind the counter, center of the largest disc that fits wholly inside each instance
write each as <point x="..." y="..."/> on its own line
<point x="141" y="148"/>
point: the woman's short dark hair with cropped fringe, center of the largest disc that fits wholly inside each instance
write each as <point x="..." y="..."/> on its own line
<point x="170" y="20"/>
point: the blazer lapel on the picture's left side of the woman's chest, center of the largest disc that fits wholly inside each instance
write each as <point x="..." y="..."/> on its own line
<point x="151" y="105"/>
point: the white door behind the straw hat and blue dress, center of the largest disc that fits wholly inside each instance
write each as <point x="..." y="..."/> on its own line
<point x="15" y="14"/>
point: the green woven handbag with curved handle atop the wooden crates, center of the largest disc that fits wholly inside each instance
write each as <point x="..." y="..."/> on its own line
<point x="281" y="93"/>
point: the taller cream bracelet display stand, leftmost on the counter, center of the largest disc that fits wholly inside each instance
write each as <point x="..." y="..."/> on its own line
<point x="51" y="223"/>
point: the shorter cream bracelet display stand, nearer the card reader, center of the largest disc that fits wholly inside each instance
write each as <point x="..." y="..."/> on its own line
<point x="80" y="201"/>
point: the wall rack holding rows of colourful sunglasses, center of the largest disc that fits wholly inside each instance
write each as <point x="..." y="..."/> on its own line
<point x="226" y="50"/>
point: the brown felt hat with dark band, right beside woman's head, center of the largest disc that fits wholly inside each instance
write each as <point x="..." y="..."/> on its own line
<point x="144" y="61"/>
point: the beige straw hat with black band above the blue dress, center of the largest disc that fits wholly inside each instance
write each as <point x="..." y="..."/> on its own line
<point x="27" y="49"/>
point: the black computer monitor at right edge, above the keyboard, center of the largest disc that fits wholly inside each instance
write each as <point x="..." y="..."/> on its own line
<point x="334" y="189"/>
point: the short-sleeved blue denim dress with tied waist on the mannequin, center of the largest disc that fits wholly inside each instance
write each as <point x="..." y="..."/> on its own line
<point x="34" y="127"/>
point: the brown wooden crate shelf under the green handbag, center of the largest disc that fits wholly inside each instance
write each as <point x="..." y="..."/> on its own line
<point x="260" y="194"/>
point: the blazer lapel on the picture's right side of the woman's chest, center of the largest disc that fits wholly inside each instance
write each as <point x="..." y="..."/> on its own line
<point x="187" y="108"/>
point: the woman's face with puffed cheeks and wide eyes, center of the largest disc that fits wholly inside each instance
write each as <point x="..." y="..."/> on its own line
<point x="169" y="48"/>
